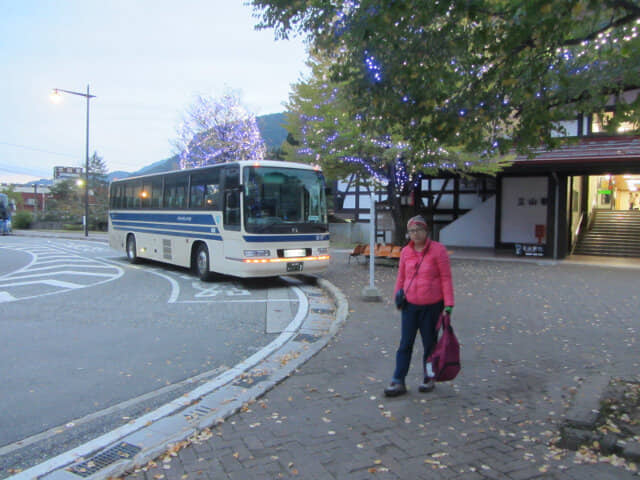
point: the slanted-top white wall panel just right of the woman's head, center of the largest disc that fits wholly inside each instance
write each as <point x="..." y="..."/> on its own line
<point x="474" y="229"/>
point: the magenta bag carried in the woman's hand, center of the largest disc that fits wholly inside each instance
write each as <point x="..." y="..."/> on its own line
<point x="445" y="356"/>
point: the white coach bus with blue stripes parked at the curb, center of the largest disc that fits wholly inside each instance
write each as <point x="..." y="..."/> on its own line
<point x="245" y="219"/>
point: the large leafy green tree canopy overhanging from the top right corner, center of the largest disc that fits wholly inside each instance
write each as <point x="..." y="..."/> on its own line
<point x="473" y="77"/>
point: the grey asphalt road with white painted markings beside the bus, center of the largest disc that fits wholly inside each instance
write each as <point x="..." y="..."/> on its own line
<point x="90" y="342"/>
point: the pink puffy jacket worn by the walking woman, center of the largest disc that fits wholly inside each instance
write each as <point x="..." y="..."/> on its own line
<point x="433" y="281"/>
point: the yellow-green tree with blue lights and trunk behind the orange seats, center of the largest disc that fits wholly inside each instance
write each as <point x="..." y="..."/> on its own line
<point x="322" y="130"/>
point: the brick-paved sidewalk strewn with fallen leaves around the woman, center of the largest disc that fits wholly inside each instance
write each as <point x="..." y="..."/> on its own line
<point x="532" y="333"/>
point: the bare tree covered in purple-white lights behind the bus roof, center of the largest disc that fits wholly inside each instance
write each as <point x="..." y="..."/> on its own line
<point x="218" y="130"/>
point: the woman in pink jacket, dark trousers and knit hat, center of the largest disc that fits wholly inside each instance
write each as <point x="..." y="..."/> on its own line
<point x="424" y="274"/>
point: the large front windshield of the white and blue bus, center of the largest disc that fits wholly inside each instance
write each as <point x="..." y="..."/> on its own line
<point x="278" y="200"/>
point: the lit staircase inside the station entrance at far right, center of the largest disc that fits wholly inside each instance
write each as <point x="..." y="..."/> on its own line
<point x="614" y="233"/>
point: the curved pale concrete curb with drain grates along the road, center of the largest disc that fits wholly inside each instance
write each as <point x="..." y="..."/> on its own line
<point x="208" y="405"/>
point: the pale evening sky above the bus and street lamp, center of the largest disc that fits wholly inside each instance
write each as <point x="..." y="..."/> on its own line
<point x="144" y="60"/>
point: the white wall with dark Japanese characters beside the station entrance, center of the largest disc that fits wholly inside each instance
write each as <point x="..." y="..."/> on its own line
<point x="524" y="205"/>
